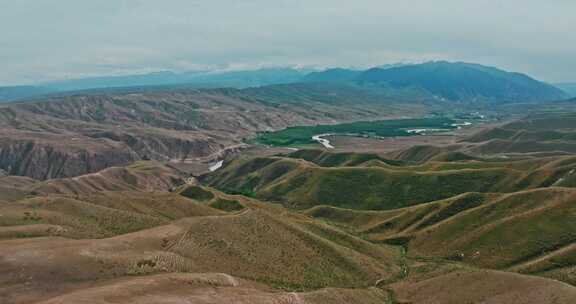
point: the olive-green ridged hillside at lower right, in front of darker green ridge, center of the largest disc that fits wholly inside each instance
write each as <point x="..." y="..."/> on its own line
<point x="479" y="229"/>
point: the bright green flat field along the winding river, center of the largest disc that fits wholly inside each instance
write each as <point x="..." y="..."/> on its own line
<point x="383" y="128"/>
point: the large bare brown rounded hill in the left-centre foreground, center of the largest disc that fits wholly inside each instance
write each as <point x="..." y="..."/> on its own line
<point x="280" y="250"/>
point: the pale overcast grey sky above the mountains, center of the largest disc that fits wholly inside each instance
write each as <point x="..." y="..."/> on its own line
<point x="42" y="40"/>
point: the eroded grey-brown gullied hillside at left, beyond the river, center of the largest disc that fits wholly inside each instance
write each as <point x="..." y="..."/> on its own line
<point x="74" y="135"/>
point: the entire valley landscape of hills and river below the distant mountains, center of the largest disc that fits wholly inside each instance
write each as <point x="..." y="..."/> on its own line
<point x="293" y="193"/>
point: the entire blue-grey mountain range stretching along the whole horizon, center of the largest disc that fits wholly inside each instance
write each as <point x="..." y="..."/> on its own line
<point x="446" y="81"/>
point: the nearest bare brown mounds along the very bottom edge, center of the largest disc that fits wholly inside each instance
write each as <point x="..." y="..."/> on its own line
<point x="210" y="288"/>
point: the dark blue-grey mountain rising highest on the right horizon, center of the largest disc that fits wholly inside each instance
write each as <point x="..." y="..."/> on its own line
<point x="453" y="81"/>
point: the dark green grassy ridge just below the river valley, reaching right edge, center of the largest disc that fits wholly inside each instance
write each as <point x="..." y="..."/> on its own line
<point x="308" y="178"/>
